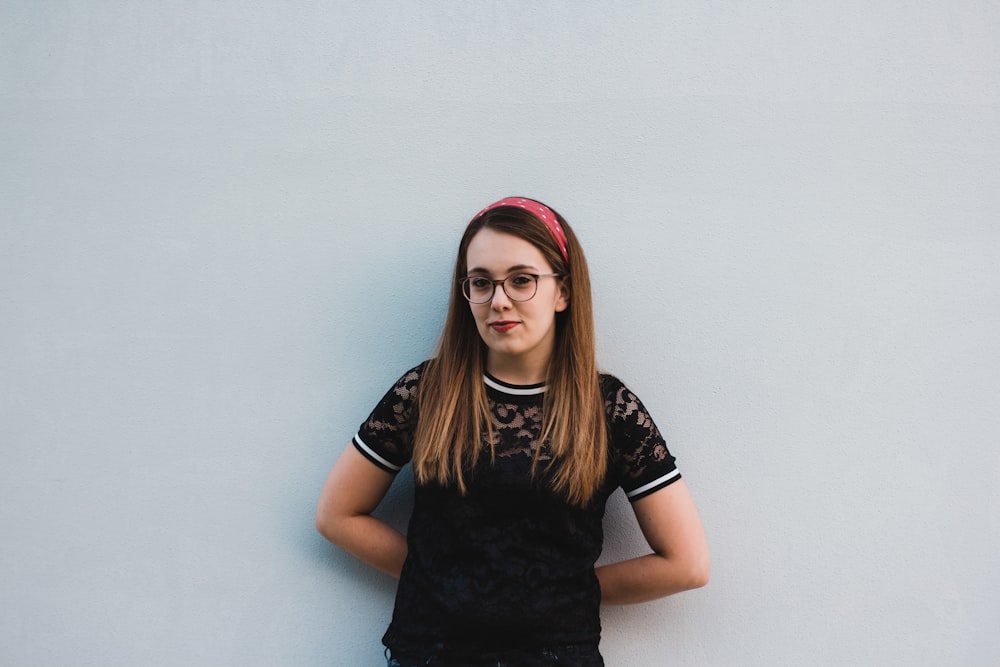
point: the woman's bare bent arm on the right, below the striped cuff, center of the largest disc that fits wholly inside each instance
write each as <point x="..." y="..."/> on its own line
<point x="679" y="562"/>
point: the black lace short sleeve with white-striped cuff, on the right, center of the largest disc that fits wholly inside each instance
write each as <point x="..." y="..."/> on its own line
<point x="640" y="459"/>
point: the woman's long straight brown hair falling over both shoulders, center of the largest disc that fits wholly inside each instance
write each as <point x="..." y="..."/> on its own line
<point x="452" y="404"/>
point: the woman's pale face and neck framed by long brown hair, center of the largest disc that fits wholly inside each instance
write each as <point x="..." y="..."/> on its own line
<point x="519" y="335"/>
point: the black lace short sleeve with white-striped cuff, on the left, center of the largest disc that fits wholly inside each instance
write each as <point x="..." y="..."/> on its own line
<point x="386" y="437"/>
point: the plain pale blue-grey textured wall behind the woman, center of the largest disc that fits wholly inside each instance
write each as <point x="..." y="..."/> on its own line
<point x="226" y="227"/>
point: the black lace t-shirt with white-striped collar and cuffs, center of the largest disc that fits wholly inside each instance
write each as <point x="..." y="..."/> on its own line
<point x="509" y="565"/>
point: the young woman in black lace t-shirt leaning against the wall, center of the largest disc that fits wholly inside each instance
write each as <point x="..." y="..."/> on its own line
<point x="516" y="442"/>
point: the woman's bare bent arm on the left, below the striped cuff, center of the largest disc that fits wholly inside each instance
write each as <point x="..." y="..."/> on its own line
<point x="351" y="493"/>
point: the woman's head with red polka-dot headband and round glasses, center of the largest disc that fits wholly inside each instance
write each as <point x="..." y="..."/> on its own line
<point x="521" y="236"/>
